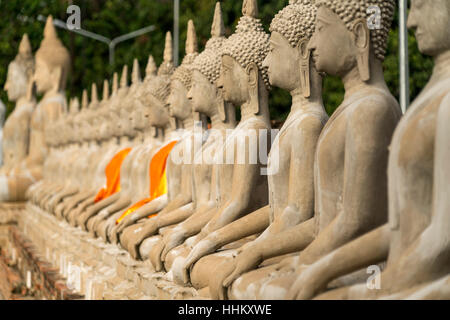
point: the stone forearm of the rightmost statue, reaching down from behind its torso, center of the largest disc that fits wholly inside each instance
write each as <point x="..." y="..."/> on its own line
<point x="372" y="248"/>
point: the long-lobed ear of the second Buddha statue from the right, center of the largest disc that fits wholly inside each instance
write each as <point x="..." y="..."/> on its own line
<point x="362" y="41"/>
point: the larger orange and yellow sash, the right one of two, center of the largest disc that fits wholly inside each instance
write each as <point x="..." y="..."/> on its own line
<point x="158" y="179"/>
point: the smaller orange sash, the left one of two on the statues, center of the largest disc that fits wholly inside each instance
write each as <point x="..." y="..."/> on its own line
<point x="112" y="173"/>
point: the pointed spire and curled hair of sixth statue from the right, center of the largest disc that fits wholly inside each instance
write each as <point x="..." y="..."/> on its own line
<point x="184" y="72"/>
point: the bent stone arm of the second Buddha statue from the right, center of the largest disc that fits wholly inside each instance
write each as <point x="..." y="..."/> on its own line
<point x="364" y="206"/>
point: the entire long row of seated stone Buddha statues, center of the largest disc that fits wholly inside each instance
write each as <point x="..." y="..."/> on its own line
<point x="366" y="186"/>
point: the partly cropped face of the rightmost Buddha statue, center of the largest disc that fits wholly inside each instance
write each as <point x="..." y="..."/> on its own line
<point x="431" y="22"/>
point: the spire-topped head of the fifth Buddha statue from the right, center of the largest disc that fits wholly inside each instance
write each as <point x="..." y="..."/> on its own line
<point x="204" y="93"/>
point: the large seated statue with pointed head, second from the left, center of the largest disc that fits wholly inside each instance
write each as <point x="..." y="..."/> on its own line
<point x="52" y="67"/>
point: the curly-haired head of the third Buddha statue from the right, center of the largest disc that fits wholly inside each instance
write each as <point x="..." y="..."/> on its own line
<point x="289" y="60"/>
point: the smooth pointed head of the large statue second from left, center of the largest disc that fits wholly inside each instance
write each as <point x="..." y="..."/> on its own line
<point x="52" y="62"/>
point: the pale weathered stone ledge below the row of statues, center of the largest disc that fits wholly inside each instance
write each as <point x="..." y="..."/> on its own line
<point x="95" y="269"/>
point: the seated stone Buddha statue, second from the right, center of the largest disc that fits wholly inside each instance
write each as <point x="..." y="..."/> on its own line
<point x="352" y="151"/>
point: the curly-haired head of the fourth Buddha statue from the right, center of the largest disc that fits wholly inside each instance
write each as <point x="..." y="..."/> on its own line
<point x="243" y="78"/>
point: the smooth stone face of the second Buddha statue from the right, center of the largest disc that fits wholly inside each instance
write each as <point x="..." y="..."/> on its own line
<point x="333" y="45"/>
